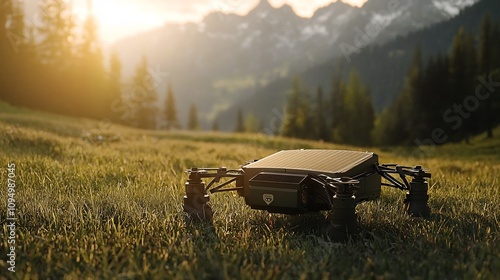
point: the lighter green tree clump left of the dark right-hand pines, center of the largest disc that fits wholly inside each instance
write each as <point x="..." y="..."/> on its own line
<point x="347" y="116"/>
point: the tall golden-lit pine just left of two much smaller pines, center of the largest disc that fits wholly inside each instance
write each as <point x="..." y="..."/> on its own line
<point x="145" y="98"/>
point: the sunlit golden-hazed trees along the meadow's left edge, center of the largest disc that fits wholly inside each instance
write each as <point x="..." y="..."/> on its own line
<point x="57" y="66"/>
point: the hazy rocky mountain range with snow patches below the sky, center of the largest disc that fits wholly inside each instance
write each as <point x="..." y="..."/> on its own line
<point x="228" y="61"/>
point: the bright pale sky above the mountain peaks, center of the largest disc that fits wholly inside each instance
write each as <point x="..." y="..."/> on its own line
<point x="119" y="18"/>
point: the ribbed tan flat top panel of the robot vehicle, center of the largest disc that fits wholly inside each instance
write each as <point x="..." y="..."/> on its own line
<point x="331" y="161"/>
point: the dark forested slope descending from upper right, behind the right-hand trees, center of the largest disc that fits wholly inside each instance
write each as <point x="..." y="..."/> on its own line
<point x="384" y="68"/>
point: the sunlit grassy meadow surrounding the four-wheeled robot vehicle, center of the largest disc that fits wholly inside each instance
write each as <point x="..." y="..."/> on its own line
<point x="105" y="201"/>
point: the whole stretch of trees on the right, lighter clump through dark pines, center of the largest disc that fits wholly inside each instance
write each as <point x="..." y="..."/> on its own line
<point x="448" y="98"/>
